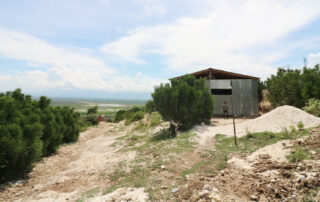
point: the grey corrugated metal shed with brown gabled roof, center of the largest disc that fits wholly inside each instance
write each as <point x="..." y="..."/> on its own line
<point x="238" y="90"/>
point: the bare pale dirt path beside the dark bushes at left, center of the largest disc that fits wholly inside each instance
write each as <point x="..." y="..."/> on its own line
<point x="75" y="168"/>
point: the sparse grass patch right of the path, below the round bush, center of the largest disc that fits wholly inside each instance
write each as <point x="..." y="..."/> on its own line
<point x="153" y="152"/>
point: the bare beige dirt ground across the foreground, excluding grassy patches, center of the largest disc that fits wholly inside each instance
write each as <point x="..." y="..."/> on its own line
<point x="83" y="167"/>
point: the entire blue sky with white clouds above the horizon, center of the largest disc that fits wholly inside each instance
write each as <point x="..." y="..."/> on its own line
<point x="123" y="48"/>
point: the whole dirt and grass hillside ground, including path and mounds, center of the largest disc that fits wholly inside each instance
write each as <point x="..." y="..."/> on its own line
<point x="137" y="162"/>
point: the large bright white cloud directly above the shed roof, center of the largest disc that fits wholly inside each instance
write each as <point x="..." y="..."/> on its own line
<point x="234" y="35"/>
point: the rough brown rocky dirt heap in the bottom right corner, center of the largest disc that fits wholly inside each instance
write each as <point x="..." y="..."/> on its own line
<point x="264" y="178"/>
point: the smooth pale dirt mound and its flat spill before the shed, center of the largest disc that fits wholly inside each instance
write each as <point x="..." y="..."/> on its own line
<point x="274" y="121"/>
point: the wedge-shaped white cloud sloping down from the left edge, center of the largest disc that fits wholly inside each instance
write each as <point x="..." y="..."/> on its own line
<point x="36" y="52"/>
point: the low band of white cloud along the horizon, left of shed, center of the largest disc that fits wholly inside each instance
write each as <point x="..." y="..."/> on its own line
<point x="54" y="79"/>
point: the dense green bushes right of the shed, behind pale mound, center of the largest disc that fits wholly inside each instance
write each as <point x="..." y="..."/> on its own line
<point x="294" y="87"/>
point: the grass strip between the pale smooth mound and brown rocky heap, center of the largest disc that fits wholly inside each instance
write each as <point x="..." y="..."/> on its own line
<point x="225" y="148"/>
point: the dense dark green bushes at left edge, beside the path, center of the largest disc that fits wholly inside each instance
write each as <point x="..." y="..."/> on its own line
<point x="30" y="129"/>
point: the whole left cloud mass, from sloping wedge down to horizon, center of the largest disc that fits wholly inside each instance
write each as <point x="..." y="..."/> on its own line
<point x="59" y="68"/>
